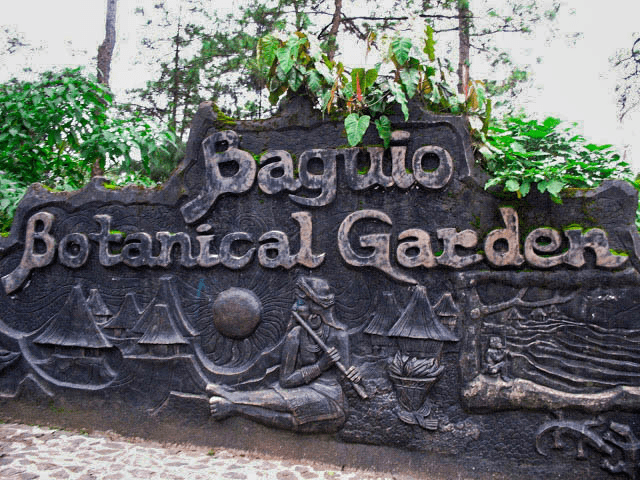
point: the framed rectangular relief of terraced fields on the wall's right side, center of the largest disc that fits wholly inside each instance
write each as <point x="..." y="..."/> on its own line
<point x="552" y="348"/>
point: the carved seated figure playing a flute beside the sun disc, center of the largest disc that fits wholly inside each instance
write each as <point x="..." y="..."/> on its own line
<point x="307" y="396"/>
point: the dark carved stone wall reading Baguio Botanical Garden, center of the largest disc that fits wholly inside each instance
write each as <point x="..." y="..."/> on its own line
<point x="356" y="295"/>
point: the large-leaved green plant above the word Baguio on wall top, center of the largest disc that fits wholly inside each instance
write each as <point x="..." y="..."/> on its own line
<point x="365" y="97"/>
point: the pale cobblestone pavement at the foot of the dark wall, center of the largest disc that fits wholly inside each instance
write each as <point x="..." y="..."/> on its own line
<point x="31" y="452"/>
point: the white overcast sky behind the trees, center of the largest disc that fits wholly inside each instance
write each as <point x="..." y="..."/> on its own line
<point x="574" y="81"/>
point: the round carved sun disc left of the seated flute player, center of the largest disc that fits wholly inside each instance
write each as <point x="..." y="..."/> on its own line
<point x="237" y="312"/>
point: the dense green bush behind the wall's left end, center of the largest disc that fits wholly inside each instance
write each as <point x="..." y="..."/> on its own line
<point x="55" y="129"/>
